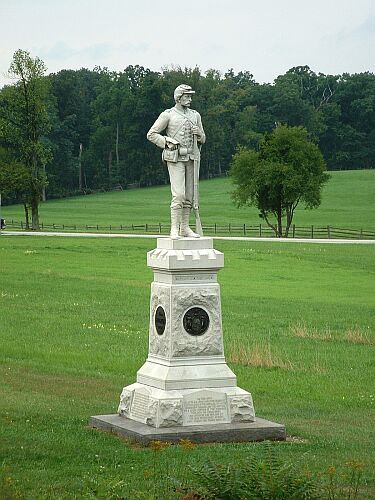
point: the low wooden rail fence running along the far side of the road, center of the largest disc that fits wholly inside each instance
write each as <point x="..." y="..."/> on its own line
<point x="259" y="230"/>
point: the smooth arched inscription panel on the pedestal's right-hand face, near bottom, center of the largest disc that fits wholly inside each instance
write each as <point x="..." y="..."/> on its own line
<point x="205" y="407"/>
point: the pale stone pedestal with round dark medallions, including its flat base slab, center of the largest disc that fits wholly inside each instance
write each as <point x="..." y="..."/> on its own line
<point x="185" y="382"/>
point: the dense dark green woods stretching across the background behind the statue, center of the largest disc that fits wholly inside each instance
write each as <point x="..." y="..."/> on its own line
<point x="91" y="133"/>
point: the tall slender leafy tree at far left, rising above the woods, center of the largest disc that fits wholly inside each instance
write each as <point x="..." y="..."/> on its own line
<point x="24" y="122"/>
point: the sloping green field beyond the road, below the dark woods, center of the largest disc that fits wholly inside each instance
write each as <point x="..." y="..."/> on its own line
<point x="348" y="201"/>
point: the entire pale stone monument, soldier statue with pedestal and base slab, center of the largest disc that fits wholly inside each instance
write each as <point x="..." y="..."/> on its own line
<point x="185" y="389"/>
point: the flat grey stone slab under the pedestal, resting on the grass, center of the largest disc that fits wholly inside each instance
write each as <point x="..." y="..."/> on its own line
<point x="260" y="430"/>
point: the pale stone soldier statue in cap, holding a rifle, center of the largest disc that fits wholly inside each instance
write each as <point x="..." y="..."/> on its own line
<point x="180" y="124"/>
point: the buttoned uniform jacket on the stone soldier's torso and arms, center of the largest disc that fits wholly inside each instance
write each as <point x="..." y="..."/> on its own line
<point x="178" y="126"/>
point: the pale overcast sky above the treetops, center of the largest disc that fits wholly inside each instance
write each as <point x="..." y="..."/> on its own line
<point x="264" y="37"/>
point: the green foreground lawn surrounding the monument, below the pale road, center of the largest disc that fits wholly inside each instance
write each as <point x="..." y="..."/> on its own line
<point x="298" y="325"/>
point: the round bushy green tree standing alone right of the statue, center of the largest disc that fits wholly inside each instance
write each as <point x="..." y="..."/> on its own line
<point x="287" y="169"/>
